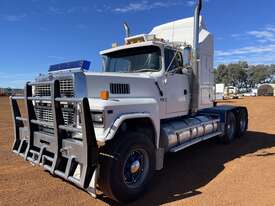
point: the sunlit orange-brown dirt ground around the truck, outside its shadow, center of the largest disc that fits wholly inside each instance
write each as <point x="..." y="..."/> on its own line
<point x="242" y="173"/>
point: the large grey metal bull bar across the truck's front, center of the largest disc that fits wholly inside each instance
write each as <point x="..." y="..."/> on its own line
<point x="75" y="160"/>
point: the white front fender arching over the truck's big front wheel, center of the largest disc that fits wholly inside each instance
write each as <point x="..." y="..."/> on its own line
<point x="123" y="109"/>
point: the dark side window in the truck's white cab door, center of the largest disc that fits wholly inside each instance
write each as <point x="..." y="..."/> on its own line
<point x="177" y="61"/>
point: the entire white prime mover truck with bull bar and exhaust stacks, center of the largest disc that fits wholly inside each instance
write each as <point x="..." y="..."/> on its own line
<point x="109" y="131"/>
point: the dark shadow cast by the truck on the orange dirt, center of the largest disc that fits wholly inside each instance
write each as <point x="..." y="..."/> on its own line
<point x="186" y="171"/>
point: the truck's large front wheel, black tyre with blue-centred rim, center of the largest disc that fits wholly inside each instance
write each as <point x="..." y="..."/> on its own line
<point x="126" y="176"/>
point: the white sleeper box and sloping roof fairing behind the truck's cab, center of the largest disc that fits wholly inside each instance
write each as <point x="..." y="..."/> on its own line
<point x="181" y="32"/>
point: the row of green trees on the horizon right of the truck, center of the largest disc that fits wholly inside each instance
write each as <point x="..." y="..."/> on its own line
<point x="243" y="75"/>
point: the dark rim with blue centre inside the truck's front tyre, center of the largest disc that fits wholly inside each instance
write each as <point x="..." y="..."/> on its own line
<point x="135" y="168"/>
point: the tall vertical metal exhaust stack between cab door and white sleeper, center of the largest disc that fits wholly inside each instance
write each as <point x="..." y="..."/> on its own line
<point x="195" y="79"/>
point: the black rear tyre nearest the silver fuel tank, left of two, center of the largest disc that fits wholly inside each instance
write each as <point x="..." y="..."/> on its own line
<point x="230" y="128"/>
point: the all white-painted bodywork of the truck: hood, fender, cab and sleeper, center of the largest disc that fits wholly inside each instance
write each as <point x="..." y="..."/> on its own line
<point x="144" y="100"/>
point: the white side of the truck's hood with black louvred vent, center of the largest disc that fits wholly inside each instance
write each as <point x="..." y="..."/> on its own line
<point x="121" y="85"/>
